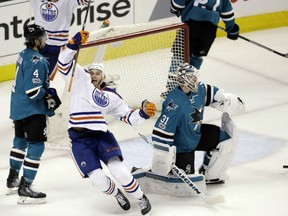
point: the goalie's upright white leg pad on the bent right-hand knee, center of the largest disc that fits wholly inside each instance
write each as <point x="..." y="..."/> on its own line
<point x="222" y="156"/>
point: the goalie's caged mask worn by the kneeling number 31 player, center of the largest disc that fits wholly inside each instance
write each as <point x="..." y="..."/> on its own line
<point x="188" y="76"/>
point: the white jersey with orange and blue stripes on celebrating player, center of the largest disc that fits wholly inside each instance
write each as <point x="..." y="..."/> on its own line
<point x="90" y="105"/>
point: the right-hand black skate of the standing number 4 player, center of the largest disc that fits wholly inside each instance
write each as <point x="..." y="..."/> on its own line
<point x="29" y="195"/>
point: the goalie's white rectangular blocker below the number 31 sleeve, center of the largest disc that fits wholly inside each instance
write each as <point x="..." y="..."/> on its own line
<point x="163" y="158"/>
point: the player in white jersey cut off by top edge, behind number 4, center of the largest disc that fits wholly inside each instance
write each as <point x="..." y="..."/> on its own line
<point x="55" y="17"/>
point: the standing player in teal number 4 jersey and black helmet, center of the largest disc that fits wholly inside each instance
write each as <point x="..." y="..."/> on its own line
<point x="32" y="100"/>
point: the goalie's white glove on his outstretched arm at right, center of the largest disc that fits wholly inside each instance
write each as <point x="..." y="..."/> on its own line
<point x="227" y="102"/>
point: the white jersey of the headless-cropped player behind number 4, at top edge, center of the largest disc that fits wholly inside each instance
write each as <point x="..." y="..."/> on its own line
<point x="55" y="18"/>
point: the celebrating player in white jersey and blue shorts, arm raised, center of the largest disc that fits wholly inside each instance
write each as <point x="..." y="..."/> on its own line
<point x="92" y="142"/>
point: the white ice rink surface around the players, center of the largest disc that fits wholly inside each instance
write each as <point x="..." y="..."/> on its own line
<point x="258" y="184"/>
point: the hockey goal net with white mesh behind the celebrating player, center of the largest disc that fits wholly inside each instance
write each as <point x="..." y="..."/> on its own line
<point x="140" y="54"/>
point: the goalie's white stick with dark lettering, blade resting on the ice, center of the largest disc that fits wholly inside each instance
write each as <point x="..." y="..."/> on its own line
<point x="208" y="199"/>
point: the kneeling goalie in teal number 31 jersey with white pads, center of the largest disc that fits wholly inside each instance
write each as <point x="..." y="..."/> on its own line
<point x="180" y="125"/>
